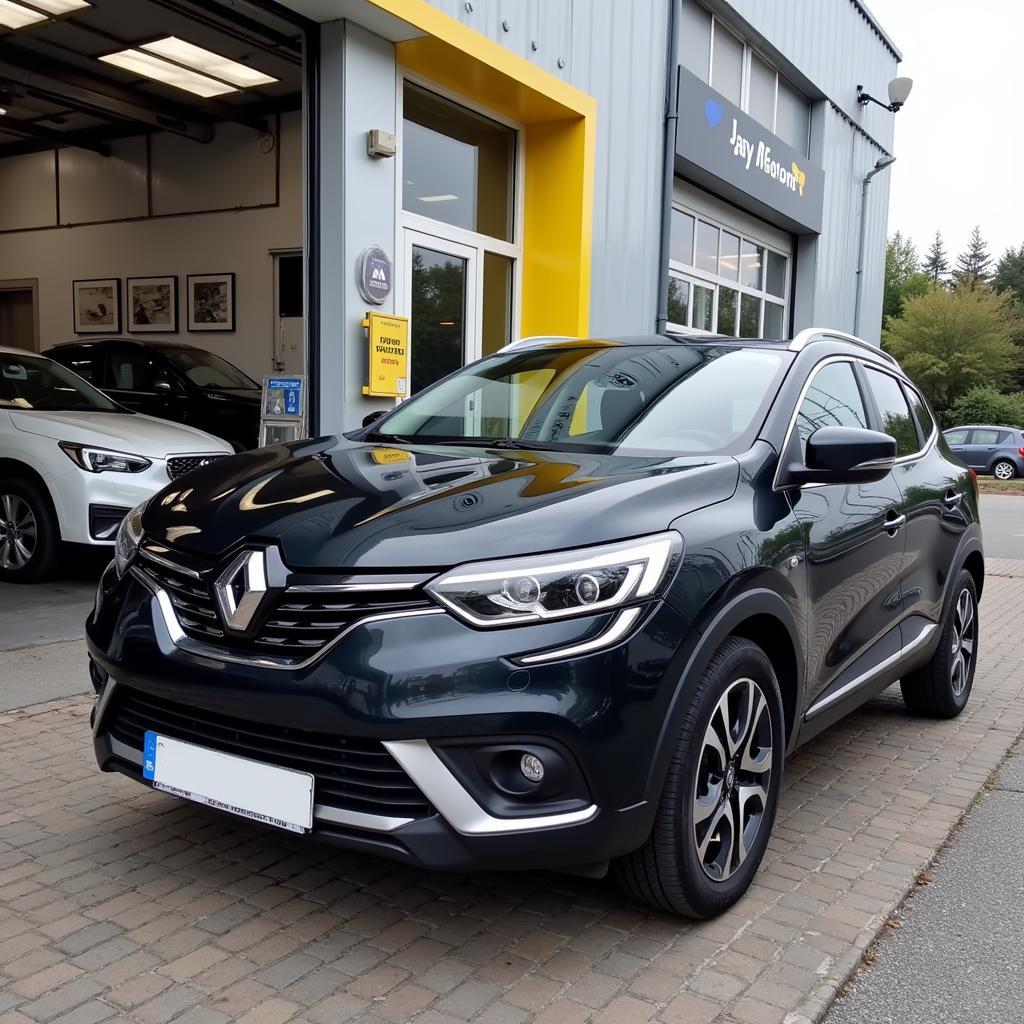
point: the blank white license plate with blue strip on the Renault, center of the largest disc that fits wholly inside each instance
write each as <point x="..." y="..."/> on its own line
<point x="275" y="796"/>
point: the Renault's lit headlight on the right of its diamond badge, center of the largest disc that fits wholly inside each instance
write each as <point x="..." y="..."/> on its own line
<point x="571" y="583"/>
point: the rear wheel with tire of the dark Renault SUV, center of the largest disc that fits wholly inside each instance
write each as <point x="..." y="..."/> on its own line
<point x="943" y="688"/>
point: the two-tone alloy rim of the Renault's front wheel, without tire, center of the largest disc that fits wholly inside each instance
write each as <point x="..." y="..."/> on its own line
<point x="731" y="793"/>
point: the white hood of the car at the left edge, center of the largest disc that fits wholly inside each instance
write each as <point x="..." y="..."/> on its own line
<point x="130" y="433"/>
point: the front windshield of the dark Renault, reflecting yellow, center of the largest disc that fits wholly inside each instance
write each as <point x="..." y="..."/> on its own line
<point x="685" y="400"/>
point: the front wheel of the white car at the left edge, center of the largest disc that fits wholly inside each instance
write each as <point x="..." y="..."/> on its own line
<point x="30" y="537"/>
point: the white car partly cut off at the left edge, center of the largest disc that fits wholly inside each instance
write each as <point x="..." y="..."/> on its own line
<point x="73" y="463"/>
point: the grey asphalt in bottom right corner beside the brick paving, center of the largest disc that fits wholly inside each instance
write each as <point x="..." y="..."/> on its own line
<point x="957" y="959"/>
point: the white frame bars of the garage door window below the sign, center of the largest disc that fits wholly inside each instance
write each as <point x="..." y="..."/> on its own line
<point x="693" y="276"/>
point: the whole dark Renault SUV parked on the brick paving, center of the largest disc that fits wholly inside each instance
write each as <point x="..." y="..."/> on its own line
<point x="571" y="607"/>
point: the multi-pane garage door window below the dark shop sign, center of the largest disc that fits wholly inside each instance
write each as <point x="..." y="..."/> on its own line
<point x="723" y="282"/>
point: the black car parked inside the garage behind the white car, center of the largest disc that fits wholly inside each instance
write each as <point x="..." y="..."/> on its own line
<point x="172" y="381"/>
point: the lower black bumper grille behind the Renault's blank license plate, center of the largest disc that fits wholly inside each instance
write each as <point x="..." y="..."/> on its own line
<point x="351" y="774"/>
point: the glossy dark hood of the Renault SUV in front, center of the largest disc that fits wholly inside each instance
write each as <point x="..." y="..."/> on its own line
<point x="333" y="504"/>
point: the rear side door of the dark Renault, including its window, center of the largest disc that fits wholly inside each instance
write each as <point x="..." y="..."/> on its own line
<point x="933" y="498"/>
